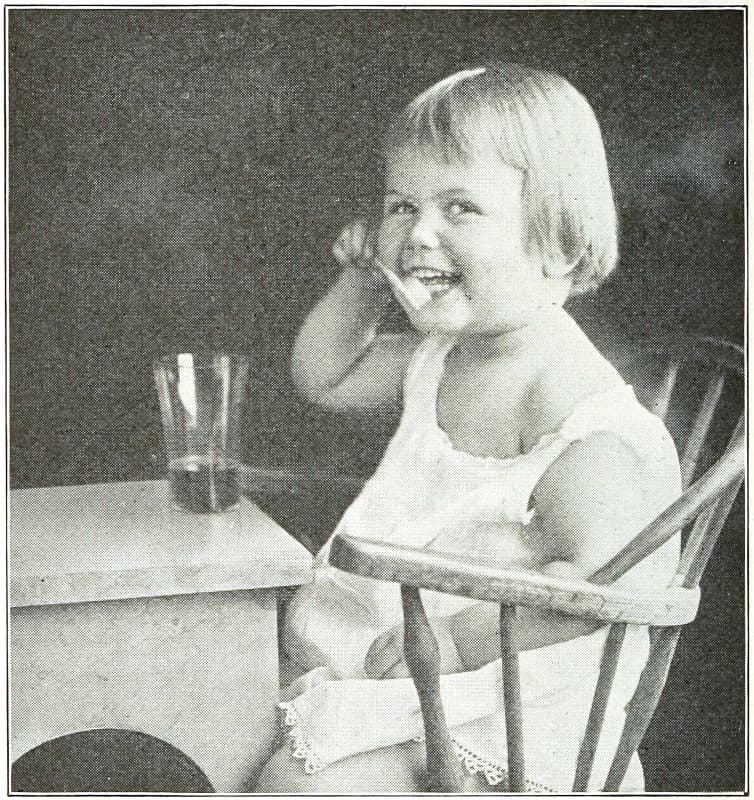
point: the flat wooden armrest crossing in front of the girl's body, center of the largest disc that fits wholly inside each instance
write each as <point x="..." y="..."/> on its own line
<point x="485" y="581"/>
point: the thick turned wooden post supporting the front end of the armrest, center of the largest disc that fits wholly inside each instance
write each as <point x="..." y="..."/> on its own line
<point x="423" y="661"/>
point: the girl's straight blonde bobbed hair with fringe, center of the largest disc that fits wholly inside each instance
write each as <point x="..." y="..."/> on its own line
<point x="539" y="123"/>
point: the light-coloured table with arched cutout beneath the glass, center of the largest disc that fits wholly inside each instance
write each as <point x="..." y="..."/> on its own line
<point x="127" y="614"/>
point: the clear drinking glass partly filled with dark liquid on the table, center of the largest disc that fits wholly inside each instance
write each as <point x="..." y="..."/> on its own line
<point x="202" y="397"/>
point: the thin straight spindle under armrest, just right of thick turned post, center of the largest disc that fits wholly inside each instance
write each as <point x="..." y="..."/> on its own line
<point x="514" y="722"/>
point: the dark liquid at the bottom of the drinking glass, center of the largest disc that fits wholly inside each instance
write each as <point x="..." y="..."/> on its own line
<point x="204" y="485"/>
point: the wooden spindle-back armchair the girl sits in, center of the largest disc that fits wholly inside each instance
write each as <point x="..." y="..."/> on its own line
<point x="700" y="513"/>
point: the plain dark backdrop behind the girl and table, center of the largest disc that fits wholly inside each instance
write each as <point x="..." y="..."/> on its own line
<point x="177" y="178"/>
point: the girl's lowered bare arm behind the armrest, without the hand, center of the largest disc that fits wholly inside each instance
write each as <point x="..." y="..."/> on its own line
<point x="591" y="501"/>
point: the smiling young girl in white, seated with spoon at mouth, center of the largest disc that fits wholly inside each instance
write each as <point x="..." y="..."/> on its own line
<point x="518" y="441"/>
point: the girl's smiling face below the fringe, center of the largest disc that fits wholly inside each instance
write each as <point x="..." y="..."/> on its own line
<point x="459" y="227"/>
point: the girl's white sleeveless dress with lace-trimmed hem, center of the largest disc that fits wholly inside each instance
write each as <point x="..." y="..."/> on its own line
<point x="427" y="493"/>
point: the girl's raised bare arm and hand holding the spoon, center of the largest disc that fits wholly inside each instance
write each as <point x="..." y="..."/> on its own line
<point x="339" y="360"/>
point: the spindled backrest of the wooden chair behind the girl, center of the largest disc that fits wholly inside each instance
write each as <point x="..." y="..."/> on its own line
<point x="696" y="386"/>
